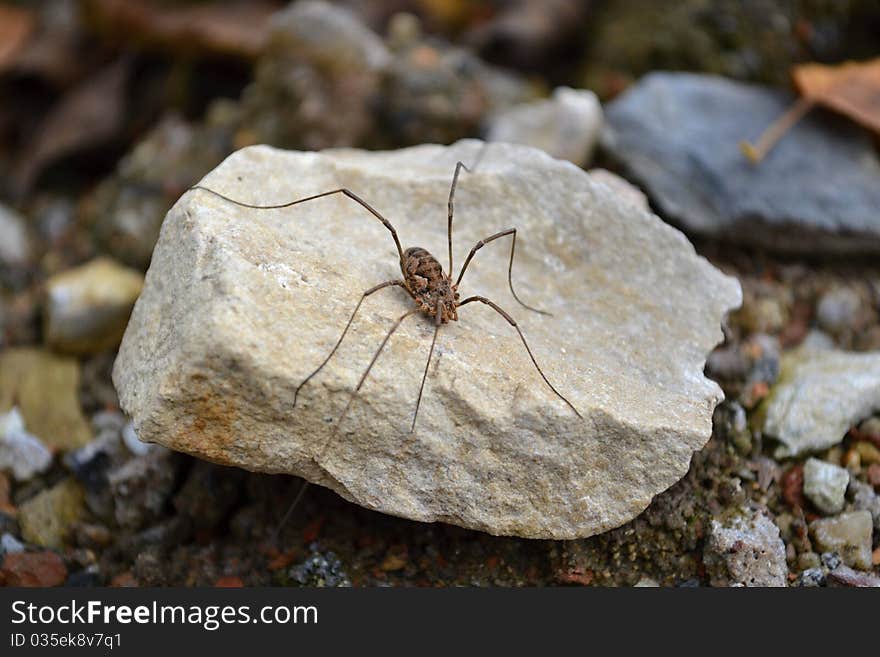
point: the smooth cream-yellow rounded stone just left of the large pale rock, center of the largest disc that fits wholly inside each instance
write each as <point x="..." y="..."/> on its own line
<point x="87" y="307"/>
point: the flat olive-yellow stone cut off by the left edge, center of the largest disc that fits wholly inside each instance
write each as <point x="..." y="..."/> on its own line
<point x="45" y="388"/>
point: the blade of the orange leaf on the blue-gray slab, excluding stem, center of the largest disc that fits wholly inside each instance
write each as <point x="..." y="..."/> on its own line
<point x="852" y="88"/>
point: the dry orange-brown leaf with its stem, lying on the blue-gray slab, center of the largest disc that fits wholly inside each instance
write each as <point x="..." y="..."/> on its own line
<point x="851" y="88"/>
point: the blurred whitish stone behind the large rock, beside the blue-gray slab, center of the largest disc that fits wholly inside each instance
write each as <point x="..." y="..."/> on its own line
<point x="566" y="126"/>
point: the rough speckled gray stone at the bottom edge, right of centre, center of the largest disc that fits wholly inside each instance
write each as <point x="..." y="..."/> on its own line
<point x="745" y="550"/>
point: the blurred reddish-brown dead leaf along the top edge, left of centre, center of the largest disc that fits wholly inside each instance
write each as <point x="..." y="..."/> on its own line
<point x="230" y="28"/>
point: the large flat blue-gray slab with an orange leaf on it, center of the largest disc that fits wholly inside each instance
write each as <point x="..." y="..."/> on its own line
<point x="816" y="192"/>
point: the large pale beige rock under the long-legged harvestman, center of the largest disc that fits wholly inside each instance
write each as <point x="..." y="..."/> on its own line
<point x="240" y="305"/>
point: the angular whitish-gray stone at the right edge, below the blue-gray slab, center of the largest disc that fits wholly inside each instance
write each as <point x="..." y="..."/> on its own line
<point x="820" y="394"/>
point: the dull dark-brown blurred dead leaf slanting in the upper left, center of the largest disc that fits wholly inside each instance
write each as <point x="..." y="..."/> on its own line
<point x="89" y="115"/>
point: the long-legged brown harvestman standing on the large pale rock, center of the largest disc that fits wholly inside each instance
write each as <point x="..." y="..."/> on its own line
<point x="424" y="280"/>
